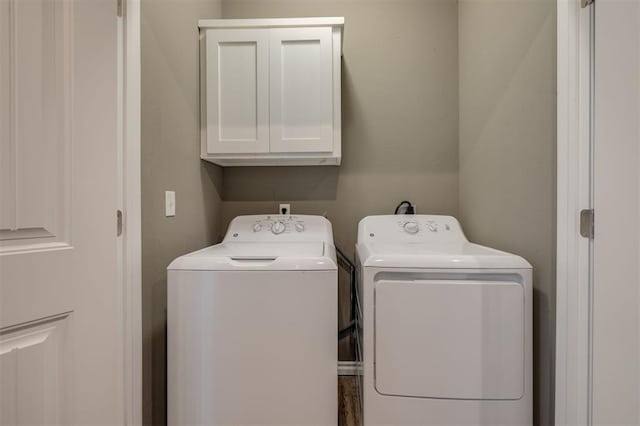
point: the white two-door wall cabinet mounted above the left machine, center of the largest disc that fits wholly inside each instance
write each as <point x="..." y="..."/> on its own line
<point x="270" y="91"/>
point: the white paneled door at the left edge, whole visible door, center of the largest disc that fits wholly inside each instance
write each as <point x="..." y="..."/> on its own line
<point x="61" y="313"/>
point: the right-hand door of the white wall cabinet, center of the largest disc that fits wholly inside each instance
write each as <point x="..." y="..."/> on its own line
<point x="301" y="90"/>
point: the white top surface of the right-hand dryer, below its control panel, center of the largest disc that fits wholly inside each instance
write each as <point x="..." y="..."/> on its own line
<point x="444" y="255"/>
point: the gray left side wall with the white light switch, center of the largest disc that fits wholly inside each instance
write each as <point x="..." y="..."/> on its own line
<point x="170" y="161"/>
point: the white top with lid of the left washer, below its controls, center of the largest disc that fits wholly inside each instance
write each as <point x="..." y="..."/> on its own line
<point x="285" y="256"/>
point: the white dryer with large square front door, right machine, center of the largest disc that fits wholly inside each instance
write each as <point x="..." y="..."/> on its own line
<point x="446" y="326"/>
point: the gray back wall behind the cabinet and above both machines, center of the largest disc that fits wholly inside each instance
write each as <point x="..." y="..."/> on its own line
<point x="399" y="111"/>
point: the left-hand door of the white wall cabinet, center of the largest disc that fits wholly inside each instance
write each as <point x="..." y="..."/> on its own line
<point x="237" y="91"/>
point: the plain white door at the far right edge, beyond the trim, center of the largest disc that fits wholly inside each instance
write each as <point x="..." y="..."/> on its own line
<point x="616" y="264"/>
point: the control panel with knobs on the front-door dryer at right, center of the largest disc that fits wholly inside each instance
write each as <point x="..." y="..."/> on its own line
<point x="410" y="228"/>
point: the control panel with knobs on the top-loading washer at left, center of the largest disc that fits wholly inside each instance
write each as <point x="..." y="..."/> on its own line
<point x="281" y="228"/>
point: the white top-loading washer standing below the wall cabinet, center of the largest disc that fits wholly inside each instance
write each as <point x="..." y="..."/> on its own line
<point x="252" y="326"/>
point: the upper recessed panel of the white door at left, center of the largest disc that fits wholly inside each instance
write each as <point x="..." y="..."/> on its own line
<point x="36" y="53"/>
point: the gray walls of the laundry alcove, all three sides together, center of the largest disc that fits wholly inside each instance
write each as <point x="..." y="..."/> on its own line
<point x="409" y="68"/>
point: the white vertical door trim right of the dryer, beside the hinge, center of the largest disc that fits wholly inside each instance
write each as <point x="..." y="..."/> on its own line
<point x="574" y="193"/>
